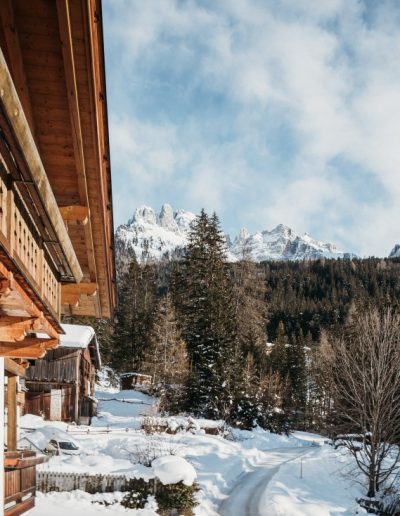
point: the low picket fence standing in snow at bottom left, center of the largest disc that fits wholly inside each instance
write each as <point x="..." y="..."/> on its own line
<point x="47" y="481"/>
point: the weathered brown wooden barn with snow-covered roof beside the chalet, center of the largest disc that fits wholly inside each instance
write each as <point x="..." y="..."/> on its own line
<point x="61" y="385"/>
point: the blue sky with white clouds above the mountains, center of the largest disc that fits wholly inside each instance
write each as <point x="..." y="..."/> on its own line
<point x="264" y="111"/>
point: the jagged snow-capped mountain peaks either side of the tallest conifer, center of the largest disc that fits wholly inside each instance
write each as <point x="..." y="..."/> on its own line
<point x="165" y="236"/>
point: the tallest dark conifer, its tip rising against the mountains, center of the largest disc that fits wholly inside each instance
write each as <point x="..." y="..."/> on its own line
<point x="205" y="300"/>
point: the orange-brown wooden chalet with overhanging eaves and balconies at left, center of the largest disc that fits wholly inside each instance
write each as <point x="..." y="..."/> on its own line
<point x="56" y="226"/>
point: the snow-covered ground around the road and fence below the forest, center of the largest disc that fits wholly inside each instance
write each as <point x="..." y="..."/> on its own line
<point x="248" y="473"/>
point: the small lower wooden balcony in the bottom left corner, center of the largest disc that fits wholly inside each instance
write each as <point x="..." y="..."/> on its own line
<point x="20" y="481"/>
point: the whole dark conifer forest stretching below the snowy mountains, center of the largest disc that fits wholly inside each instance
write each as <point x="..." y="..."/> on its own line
<point x="250" y="343"/>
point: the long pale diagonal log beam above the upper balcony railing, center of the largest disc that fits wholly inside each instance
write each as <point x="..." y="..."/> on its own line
<point x="16" y="117"/>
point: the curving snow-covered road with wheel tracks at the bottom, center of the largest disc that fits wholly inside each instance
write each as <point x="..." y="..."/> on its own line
<point x="246" y="495"/>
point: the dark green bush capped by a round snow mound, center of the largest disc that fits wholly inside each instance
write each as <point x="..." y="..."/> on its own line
<point x="177" y="496"/>
